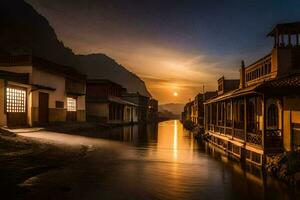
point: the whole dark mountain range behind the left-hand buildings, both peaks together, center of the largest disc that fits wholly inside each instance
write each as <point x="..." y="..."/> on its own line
<point x="24" y="31"/>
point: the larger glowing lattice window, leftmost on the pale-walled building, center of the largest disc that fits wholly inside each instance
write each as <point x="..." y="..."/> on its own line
<point x="15" y="100"/>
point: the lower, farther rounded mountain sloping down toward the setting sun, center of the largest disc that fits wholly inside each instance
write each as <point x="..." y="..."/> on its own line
<point x="103" y="67"/>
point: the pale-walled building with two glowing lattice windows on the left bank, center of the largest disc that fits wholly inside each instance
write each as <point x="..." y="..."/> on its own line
<point x="37" y="92"/>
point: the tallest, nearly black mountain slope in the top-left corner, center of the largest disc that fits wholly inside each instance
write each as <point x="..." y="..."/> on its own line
<point x="25" y="31"/>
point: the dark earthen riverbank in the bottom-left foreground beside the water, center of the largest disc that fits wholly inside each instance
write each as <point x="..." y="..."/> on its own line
<point x="22" y="158"/>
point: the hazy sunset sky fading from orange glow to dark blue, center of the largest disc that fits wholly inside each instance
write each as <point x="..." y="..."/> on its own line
<point x="172" y="45"/>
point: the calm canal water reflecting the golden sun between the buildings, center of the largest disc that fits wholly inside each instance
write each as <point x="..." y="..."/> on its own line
<point x="155" y="162"/>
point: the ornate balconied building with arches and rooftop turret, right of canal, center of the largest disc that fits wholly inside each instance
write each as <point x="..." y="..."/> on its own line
<point x="262" y="116"/>
